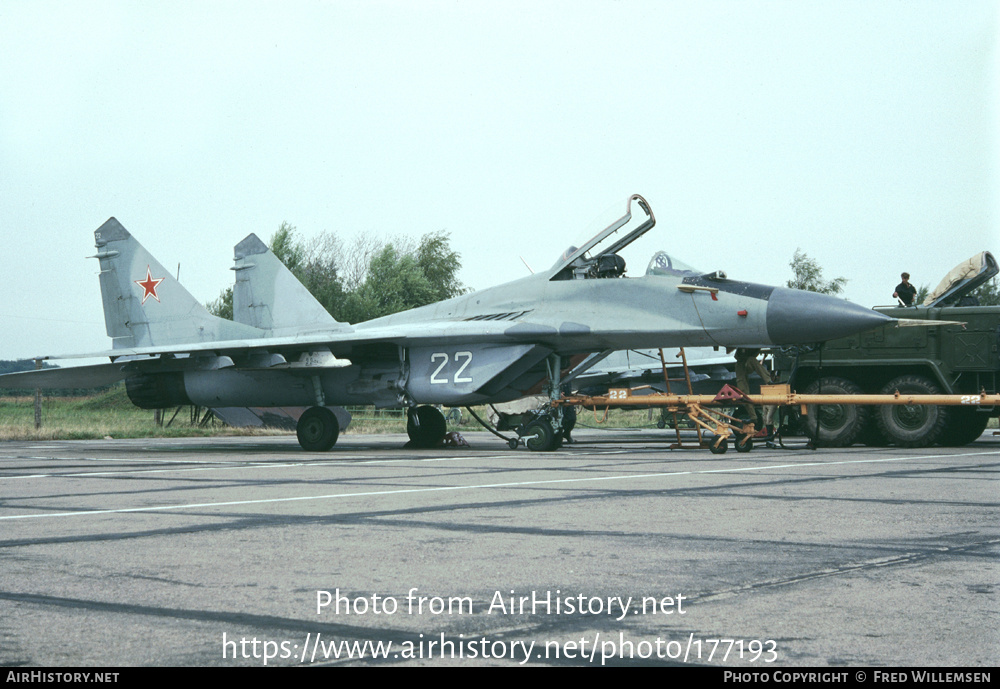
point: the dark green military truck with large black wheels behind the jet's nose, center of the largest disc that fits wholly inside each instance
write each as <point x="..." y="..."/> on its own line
<point x="949" y="359"/>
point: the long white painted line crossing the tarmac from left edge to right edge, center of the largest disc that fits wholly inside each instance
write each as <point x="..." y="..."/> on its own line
<point x="483" y="486"/>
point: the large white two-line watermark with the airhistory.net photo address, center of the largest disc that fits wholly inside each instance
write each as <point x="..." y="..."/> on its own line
<point x="593" y="649"/>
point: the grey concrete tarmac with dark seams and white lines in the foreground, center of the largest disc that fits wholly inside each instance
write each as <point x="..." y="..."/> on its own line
<point x="614" y="550"/>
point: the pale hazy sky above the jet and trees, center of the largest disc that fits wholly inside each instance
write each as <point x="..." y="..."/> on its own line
<point x="864" y="133"/>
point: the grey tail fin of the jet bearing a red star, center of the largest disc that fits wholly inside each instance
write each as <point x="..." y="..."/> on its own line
<point x="144" y="306"/>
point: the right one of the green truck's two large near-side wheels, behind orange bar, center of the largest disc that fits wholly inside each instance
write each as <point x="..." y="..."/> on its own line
<point x="916" y="425"/>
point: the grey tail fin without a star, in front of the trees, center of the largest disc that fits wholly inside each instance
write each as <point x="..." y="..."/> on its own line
<point x="267" y="295"/>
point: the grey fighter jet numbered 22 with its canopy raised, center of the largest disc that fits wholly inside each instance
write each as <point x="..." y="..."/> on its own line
<point x="528" y="336"/>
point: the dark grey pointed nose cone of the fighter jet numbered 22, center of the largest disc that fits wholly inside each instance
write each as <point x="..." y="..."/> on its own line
<point x="798" y="317"/>
